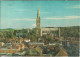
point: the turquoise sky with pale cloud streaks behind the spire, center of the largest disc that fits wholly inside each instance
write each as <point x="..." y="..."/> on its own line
<point x="23" y="14"/>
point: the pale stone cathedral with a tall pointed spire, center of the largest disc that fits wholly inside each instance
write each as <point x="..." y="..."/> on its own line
<point x="45" y="30"/>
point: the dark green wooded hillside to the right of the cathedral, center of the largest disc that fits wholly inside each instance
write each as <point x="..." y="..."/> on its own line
<point x="70" y="32"/>
